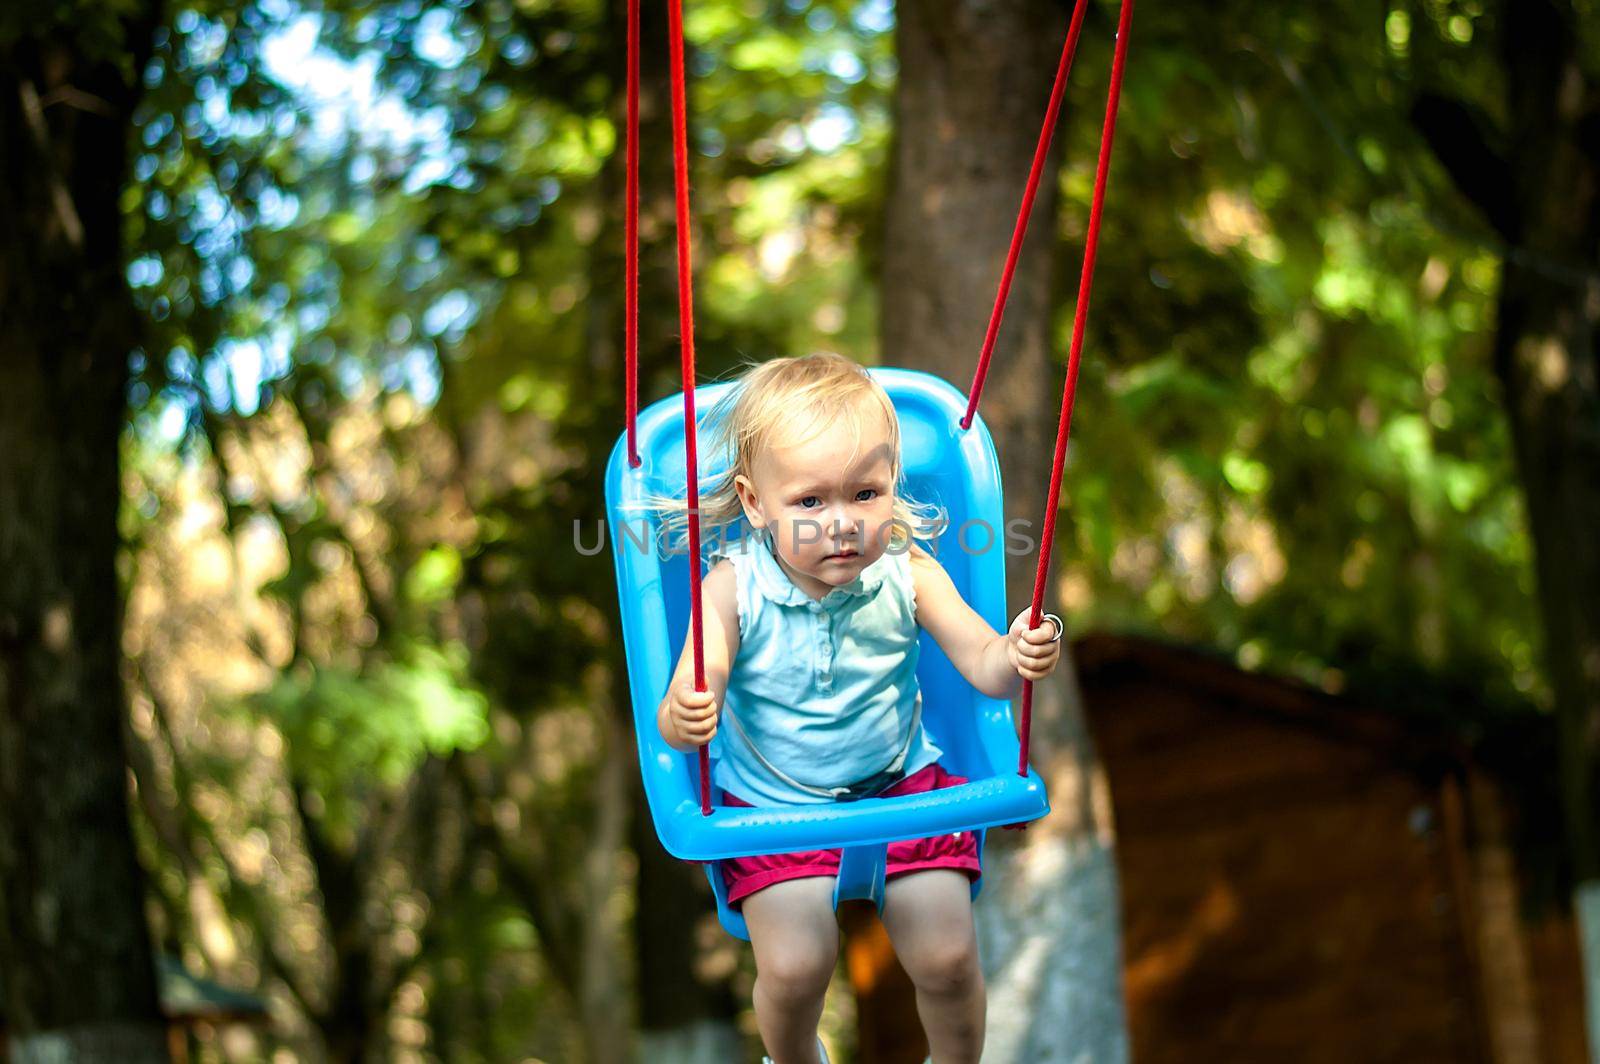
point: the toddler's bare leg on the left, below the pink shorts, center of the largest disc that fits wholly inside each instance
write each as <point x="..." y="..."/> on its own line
<point x="796" y="938"/>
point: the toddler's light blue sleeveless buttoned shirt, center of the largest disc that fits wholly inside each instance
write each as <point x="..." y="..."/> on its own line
<point x="822" y="690"/>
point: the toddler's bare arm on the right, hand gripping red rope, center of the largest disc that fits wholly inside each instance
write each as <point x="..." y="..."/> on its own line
<point x="996" y="665"/>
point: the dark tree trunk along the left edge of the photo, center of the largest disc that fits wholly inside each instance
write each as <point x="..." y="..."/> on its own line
<point x="76" y="966"/>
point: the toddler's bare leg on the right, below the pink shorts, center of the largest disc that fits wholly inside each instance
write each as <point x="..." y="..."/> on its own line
<point x="930" y="922"/>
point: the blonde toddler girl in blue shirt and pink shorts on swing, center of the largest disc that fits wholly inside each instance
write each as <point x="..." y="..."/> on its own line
<point x="810" y="642"/>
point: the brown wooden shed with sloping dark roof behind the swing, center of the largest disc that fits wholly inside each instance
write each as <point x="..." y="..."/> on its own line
<point x="1303" y="879"/>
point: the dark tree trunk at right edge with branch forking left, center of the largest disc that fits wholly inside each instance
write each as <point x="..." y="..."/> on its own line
<point x="1543" y="196"/>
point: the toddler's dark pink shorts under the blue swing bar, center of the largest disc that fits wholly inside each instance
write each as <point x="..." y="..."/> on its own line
<point x="746" y="876"/>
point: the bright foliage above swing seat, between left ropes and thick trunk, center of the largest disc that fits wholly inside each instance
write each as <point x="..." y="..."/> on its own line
<point x="793" y="124"/>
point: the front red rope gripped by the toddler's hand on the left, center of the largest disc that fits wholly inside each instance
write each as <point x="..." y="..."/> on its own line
<point x="681" y="183"/>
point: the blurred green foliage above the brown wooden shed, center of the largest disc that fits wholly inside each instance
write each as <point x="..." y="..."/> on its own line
<point x="1289" y="439"/>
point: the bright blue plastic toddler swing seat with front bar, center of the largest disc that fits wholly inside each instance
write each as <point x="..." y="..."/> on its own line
<point x="945" y="465"/>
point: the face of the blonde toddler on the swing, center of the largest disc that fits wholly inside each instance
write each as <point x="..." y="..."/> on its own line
<point x="828" y="503"/>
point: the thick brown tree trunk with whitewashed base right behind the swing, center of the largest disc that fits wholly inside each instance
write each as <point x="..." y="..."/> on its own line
<point x="974" y="86"/>
